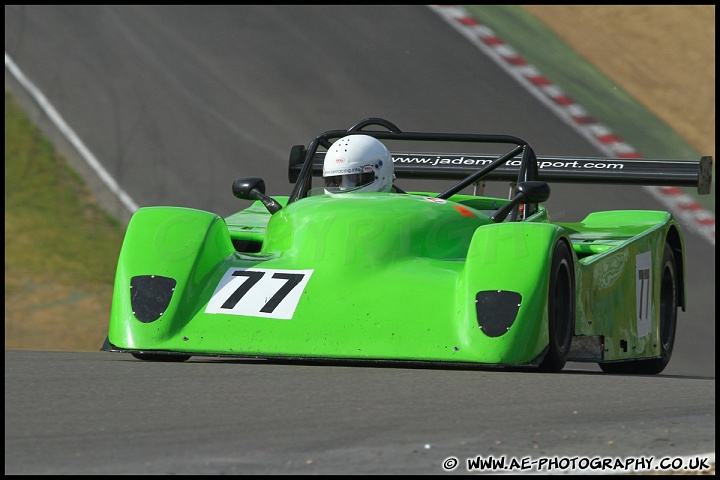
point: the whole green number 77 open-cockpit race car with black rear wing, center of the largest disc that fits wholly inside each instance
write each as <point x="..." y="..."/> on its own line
<point x="448" y="277"/>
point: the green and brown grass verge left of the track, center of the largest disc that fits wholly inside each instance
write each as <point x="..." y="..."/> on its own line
<point x="61" y="249"/>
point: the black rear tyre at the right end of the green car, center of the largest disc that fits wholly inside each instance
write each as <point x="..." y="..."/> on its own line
<point x="668" y="324"/>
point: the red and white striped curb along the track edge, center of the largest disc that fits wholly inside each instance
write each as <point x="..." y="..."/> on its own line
<point x="684" y="207"/>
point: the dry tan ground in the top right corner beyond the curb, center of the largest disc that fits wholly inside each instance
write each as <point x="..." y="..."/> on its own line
<point x="663" y="55"/>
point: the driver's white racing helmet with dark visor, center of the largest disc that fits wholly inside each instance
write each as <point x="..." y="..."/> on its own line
<point x="358" y="163"/>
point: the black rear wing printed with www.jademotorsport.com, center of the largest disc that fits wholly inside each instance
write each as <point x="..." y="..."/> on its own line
<point x="626" y="171"/>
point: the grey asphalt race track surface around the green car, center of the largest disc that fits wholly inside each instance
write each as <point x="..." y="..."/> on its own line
<point x="176" y="102"/>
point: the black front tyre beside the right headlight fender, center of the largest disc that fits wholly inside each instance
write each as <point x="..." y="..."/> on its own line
<point x="561" y="309"/>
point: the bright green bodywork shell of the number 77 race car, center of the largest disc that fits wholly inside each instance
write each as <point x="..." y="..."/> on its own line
<point x="381" y="276"/>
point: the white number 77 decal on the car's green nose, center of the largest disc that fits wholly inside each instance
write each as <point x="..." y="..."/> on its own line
<point x="259" y="292"/>
